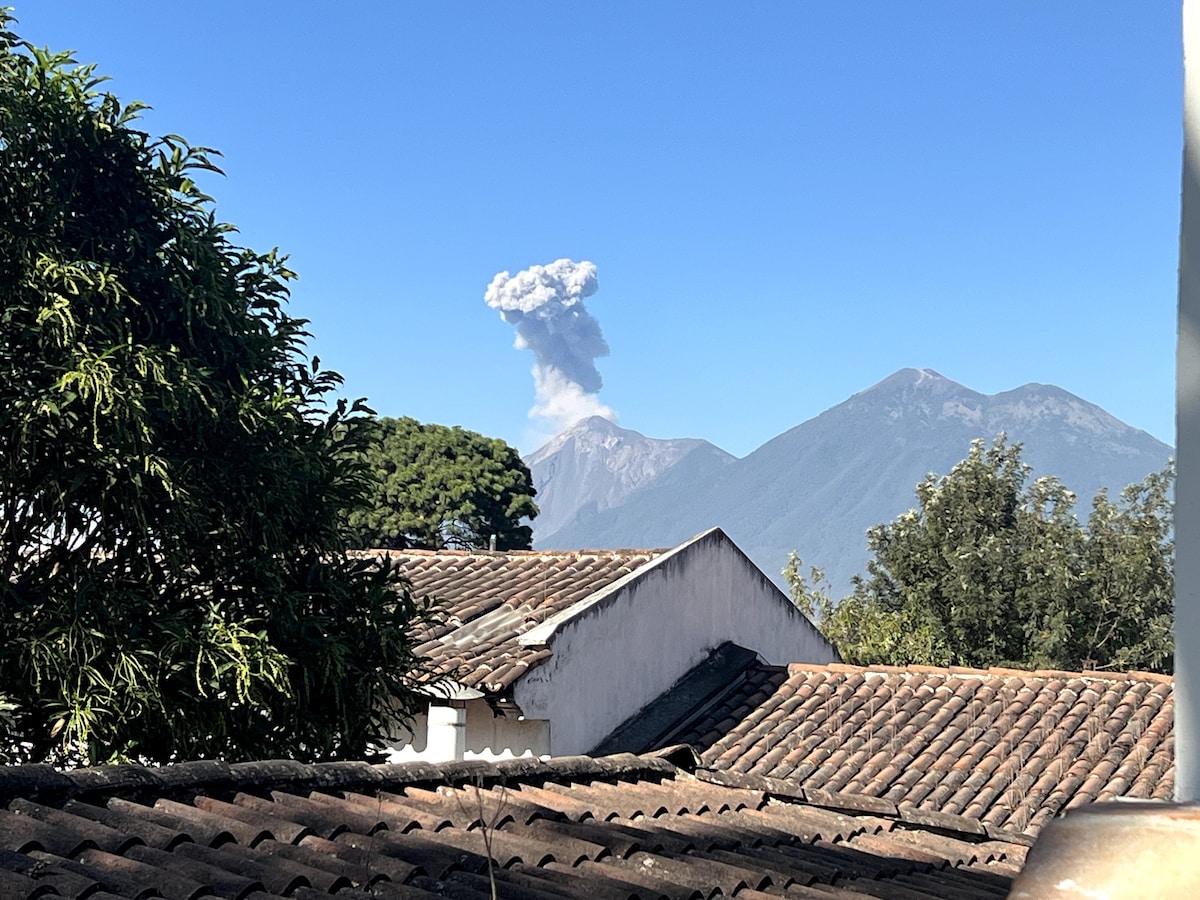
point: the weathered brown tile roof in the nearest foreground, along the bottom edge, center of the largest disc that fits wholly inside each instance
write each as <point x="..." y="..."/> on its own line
<point x="575" y="827"/>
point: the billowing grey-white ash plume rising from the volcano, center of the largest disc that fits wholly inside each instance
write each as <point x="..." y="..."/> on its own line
<point x="547" y="305"/>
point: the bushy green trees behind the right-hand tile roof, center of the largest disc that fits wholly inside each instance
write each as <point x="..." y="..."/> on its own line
<point x="994" y="569"/>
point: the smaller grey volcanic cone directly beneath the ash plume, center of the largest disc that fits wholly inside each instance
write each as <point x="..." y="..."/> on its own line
<point x="596" y="465"/>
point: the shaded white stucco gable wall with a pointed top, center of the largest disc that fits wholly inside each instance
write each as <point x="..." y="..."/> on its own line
<point x="617" y="651"/>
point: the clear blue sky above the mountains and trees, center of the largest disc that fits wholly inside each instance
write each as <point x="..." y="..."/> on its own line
<point x="785" y="202"/>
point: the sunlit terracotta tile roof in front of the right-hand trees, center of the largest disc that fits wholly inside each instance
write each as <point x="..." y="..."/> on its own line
<point x="1007" y="747"/>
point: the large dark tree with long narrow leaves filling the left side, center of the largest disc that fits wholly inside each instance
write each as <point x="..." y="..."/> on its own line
<point x="173" y="577"/>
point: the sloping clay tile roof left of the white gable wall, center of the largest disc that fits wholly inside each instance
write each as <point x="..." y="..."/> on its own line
<point x="490" y="599"/>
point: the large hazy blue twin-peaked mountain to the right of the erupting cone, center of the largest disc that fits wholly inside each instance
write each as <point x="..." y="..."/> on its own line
<point x="818" y="488"/>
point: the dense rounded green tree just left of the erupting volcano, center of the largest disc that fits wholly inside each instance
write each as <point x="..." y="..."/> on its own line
<point x="435" y="487"/>
